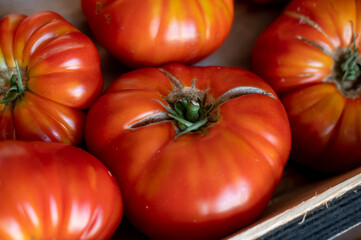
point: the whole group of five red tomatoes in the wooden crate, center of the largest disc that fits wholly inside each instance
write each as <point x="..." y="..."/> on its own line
<point x="187" y="152"/>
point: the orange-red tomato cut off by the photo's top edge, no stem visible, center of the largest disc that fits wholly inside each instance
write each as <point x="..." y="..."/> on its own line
<point x="152" y="33"/>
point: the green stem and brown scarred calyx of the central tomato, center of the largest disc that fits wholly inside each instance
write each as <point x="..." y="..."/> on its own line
<point x="192" y="110"/>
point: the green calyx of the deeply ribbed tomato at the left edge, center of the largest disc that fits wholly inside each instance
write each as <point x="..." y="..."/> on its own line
<point x="14" y="90"/>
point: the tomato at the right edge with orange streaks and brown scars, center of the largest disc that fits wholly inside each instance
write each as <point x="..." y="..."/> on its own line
<point x="311" y="57"/>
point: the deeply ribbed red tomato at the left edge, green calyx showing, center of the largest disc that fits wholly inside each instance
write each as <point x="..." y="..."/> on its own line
<point x="49" y="72"/>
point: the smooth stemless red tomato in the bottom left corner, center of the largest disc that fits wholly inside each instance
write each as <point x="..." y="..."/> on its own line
<point x="52" y="190"/>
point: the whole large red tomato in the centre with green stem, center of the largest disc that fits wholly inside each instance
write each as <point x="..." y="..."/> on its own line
<point x="197" y="151"/>
